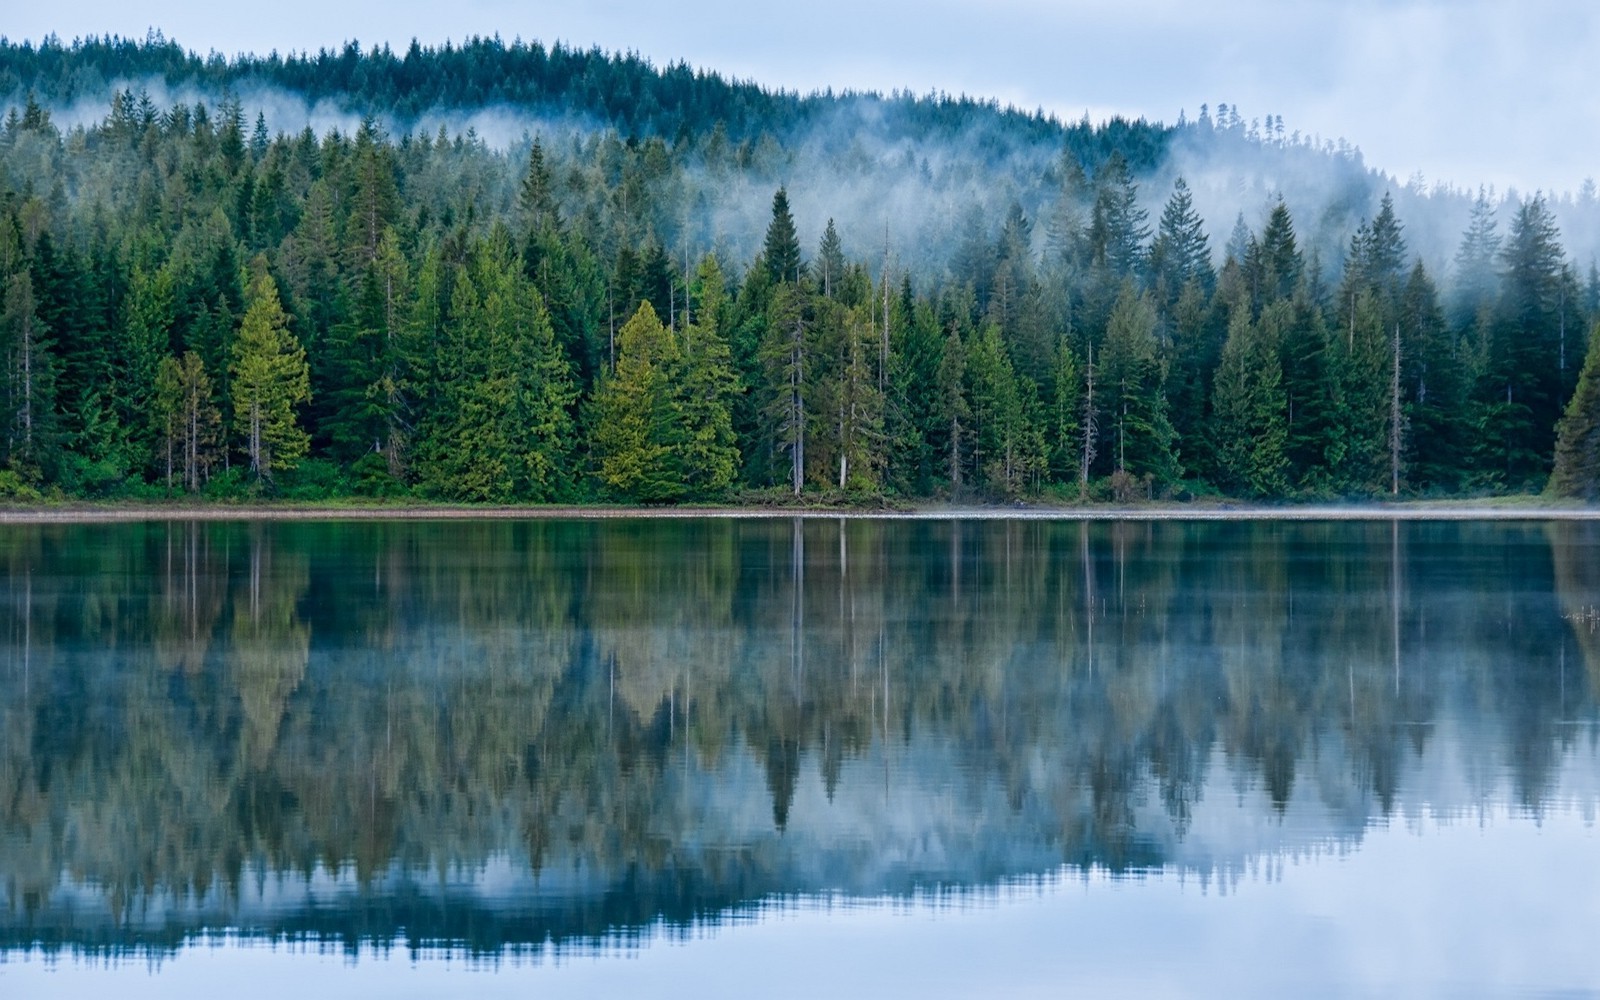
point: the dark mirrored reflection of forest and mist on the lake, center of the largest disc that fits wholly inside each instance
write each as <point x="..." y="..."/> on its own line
<point x="497" y="735"/>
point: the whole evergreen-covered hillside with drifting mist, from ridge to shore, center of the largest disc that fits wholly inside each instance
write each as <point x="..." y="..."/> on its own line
<point x="660" y="286"/>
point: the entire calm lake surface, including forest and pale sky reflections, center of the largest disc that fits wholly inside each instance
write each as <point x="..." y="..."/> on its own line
<point x="796" y="758"/>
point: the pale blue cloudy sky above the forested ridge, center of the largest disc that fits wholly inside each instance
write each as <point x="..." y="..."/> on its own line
<point x="1470" y="92"/>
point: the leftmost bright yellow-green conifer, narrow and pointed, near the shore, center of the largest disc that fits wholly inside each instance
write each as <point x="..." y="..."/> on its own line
<point x="270" y="378"/>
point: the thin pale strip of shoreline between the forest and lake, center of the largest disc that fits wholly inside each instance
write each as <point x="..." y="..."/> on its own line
<point x="1409" y="511"/>
